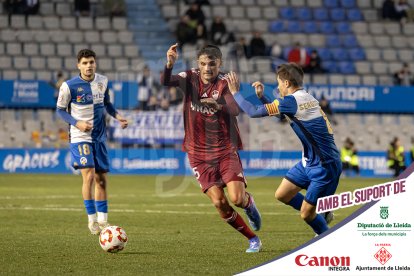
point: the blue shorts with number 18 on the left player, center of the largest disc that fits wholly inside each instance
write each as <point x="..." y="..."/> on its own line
<point x="90" y="155"/>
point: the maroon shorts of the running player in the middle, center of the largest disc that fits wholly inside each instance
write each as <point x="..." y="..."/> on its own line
<point x="218" y="171"/>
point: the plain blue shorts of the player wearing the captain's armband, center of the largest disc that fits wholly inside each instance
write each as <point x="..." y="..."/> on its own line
<point x="319" y="181"/>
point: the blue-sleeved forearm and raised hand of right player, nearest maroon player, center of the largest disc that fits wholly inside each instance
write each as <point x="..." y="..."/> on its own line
<point x="252" y="110"/>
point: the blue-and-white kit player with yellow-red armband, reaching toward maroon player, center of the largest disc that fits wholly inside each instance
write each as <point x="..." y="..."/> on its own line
<point x="320" y="168"/>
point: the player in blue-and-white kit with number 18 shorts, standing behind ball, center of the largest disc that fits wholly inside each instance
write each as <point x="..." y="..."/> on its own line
<point x="82" y="103"/>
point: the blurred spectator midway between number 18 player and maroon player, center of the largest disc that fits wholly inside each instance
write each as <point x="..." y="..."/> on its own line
<point x="145" y="88"/>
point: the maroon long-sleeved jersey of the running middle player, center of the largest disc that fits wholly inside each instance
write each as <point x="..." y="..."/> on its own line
<point x="209" y="132"/>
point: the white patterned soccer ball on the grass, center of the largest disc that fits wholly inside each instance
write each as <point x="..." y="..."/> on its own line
<point x="113" y="239"/>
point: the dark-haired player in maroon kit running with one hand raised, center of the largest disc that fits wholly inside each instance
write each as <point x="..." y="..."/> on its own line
<point x="212" y="138"/>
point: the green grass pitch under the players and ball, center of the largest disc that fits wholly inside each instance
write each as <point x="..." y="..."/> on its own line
<point x="172" y="227"/>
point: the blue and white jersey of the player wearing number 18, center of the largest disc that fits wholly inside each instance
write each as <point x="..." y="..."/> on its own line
<point x="86" y="101"/>
